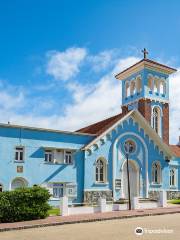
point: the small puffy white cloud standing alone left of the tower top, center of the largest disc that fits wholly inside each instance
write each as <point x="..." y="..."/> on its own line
<point x="64" y="65"/>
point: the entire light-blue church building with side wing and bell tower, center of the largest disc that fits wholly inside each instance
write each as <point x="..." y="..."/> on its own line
<point x="91" y="162"/>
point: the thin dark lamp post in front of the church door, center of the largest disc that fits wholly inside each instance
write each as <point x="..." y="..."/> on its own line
<point x="128" y="148"/>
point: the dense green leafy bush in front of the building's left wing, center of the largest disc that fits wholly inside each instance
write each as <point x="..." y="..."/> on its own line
<point x="24" y="204"/>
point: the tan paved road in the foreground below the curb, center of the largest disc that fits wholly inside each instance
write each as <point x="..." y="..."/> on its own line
<point x="122" y="229"/>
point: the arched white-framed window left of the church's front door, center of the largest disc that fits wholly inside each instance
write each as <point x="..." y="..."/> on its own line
<point x="101" y="170"/>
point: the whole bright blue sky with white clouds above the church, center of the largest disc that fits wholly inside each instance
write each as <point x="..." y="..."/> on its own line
<point x="58" y="58"/>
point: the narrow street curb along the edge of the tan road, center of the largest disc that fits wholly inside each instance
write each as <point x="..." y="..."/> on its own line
<point x="84" y="221"/>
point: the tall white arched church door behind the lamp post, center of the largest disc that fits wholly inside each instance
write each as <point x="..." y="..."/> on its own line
<point x="133" y="179"/>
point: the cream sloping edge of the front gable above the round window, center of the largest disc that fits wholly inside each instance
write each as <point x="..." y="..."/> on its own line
<point x="143" y="123"/>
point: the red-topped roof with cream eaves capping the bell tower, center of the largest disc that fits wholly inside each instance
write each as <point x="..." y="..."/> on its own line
<point x="142" y="64"/>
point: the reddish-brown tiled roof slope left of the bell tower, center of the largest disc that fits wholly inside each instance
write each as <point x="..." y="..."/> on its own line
<point x="100" y="127"/>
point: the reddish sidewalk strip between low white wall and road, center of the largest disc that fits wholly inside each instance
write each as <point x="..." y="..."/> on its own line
<point x="59" y="220"/>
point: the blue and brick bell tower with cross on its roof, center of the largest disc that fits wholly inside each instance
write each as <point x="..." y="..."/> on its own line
<point x="145" y="87"/>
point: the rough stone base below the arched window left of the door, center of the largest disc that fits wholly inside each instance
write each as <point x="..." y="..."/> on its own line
<point x="93" y="196"/>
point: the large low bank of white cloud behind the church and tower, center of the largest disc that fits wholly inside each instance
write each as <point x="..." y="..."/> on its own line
<point x="90" y="103"/>
